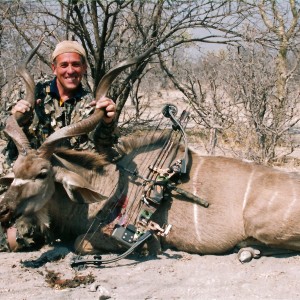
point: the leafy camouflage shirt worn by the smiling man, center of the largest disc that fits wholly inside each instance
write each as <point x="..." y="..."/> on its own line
<point x="51" y="114"/>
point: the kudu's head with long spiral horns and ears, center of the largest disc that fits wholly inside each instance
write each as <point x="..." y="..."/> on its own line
<point x="33" y="178"/>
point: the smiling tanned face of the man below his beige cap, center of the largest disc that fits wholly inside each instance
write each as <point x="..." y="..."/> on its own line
<point x="69" y="69"/>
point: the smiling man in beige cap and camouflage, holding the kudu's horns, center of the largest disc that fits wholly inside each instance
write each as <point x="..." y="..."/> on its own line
<point x="60" y="102"/>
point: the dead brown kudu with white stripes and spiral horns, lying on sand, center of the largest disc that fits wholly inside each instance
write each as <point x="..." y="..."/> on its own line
<point x="249" y="204"/>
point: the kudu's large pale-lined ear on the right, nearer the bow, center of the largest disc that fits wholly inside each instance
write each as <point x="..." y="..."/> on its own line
<point x="77" y="188"/>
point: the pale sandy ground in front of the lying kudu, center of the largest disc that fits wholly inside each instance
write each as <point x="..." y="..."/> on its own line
<point x="173" y="275"/>
